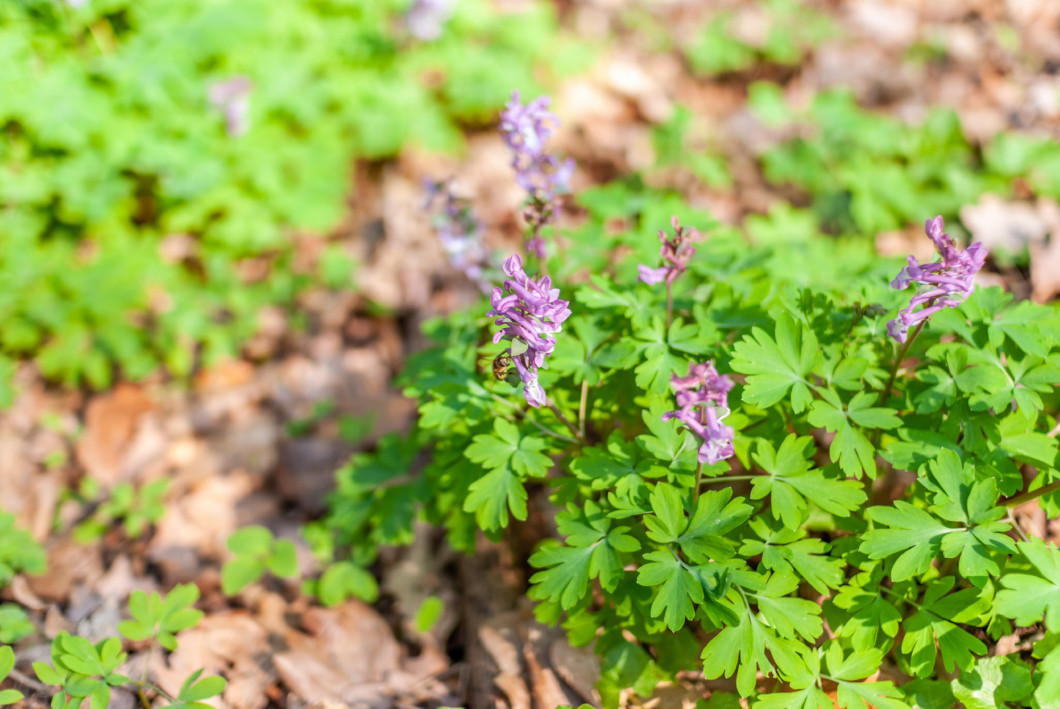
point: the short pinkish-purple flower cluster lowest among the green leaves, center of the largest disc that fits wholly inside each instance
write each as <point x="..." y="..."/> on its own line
<point x="703" y="401"/>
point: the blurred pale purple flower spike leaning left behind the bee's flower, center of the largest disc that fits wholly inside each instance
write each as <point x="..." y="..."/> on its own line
<point x="460" y="233"/>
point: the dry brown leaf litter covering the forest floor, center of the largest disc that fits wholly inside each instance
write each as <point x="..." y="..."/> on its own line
<point x="257" y="441"/>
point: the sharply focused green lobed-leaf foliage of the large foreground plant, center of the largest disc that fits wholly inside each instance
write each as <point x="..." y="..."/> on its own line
<point x="871" y="489"/>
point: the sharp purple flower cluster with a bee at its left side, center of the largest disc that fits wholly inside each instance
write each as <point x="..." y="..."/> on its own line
<point x="531" y="315"/>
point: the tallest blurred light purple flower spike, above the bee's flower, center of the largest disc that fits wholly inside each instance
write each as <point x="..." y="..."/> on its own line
<point x="525" y="131"/>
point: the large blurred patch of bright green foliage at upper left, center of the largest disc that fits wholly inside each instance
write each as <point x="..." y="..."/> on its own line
<point x="111" y="144"/>
